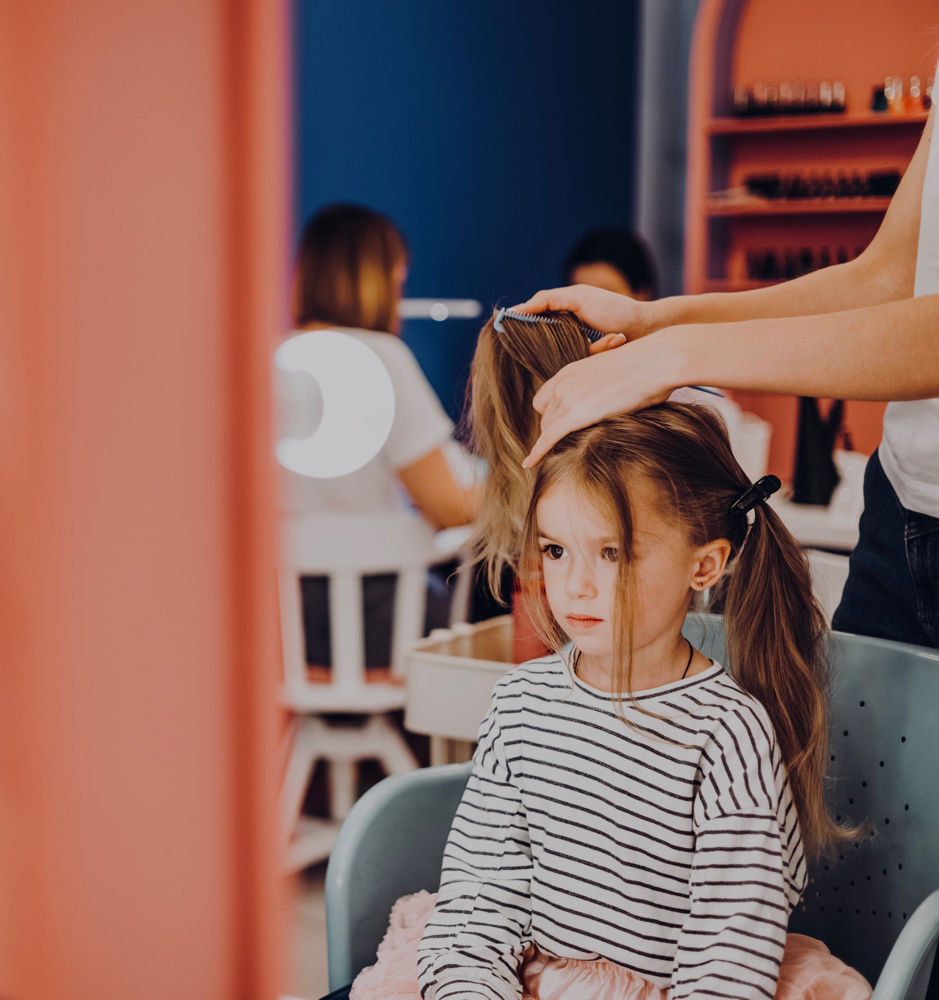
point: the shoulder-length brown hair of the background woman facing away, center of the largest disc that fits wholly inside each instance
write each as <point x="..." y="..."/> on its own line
<point x="345" y="269"/>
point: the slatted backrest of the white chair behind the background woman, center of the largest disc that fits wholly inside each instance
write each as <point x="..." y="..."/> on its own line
<point x="344" y="548"/>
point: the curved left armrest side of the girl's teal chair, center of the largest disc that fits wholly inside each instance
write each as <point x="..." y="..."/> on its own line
<point x="391" y="844"/>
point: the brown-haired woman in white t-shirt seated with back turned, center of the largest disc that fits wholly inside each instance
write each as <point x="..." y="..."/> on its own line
<point x="351" y="267"/>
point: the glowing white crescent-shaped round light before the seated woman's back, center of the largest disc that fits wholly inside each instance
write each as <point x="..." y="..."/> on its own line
<point x="358" y="404"/>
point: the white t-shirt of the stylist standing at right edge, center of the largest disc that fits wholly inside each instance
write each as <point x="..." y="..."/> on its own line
<point x="909" y="451"/>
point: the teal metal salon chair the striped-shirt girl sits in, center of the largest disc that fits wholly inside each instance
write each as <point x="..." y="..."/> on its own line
<point x="875" y="905"/>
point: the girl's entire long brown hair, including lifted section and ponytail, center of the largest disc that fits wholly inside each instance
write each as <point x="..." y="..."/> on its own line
<point x="775" y="630"/>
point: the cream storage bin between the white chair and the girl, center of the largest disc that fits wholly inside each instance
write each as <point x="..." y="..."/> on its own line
<point x="451" y="674"/>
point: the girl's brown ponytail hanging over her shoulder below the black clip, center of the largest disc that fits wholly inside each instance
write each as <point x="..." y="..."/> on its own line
<point x="775" y="634"/>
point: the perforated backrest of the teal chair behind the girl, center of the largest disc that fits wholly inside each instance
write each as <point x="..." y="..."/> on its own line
<point x="885" y="763"/>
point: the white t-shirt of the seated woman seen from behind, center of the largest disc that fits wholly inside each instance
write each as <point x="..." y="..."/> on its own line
<point x="420" y="426"/>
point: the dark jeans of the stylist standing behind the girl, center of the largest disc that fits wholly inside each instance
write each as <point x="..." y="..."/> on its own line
<point x="893" y="586"/>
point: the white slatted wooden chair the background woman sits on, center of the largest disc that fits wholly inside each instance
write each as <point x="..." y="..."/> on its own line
<point x="345" y="548"/>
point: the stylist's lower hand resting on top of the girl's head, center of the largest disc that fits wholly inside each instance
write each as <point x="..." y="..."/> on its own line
<point x="583" y="392"/>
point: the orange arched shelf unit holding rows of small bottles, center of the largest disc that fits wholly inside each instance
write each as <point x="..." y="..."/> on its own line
<point x="738" y="42"/>
